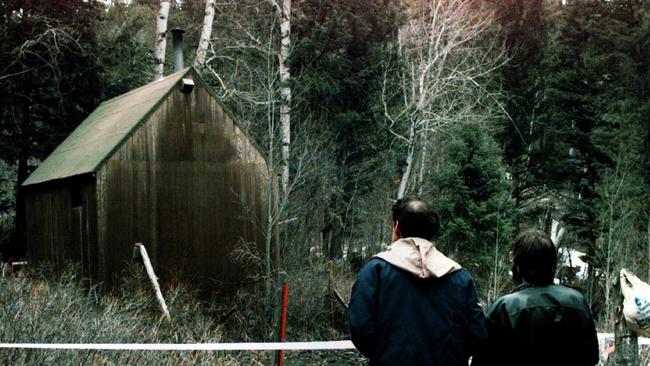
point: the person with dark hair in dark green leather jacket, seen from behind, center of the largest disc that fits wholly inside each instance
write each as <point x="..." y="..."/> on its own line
<point x="539" y="323"/>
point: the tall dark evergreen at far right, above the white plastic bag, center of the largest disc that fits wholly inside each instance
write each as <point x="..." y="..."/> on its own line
<point x="584" y="122"/>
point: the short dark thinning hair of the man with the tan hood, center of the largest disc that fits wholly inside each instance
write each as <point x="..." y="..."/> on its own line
<point x="416" y="218"/>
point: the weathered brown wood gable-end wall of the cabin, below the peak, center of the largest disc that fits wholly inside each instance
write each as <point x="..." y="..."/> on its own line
<point x="189" y="185"/>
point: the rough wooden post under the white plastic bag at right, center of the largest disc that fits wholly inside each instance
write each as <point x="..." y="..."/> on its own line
<point x="626" y="344"/>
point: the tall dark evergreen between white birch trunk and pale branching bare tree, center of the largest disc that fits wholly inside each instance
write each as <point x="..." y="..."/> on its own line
<point x="338" y="64"/>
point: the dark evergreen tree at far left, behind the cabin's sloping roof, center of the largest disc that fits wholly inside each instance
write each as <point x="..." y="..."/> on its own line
<point x="49" y="80"/>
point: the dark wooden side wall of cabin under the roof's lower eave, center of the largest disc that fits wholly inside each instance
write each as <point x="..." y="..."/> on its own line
<point x="61" y="222"/>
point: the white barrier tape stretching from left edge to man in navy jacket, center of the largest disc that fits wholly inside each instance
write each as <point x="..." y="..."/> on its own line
<point x="271" y="346"/>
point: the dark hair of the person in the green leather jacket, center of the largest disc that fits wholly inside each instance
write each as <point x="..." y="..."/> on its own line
<point x="534" y="258"/>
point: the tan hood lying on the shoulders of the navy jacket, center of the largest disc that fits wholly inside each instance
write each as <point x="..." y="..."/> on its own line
<point x="420" y="257"/>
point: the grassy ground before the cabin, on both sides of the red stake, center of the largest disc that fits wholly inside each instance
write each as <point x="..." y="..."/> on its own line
<point x="41" y="305"/>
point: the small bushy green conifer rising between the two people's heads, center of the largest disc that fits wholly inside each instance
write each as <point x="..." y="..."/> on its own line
<point x="477" y="212"/>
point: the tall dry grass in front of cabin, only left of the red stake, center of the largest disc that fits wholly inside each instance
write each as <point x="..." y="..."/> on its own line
<point x="45" y="306"/>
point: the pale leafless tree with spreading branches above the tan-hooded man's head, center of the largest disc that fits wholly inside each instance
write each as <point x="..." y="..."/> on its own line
<point x="440" y="68"/>
